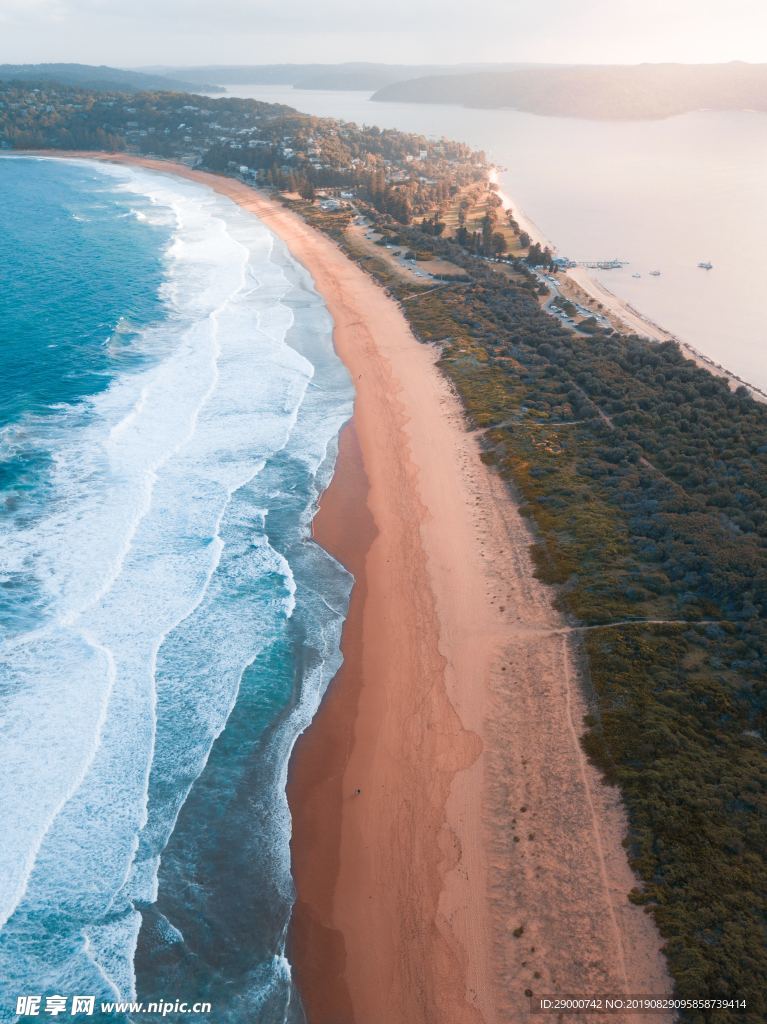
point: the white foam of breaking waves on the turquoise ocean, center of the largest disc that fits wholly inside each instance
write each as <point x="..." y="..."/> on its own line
<point x="142" y="557"/>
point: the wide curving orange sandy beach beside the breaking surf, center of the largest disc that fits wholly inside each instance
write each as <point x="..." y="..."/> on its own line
<point x="453" y="849"/>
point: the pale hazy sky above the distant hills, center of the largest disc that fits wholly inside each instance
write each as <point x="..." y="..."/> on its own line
<point x="138" y="33"/>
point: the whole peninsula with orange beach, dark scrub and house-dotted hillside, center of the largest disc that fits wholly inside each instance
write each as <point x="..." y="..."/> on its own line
<point x="559" y="540"/>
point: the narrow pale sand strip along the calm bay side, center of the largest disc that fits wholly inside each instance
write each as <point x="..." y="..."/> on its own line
<point x="623" y="315"/>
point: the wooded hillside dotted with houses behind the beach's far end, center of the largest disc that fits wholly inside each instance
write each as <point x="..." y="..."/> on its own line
<point x="267" y="144"/>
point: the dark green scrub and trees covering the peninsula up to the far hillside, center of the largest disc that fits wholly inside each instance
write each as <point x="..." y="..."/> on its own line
<point x="644" y="477"/>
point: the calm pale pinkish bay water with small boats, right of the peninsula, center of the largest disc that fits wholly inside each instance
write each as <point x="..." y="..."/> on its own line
<point x="664" y="195"/>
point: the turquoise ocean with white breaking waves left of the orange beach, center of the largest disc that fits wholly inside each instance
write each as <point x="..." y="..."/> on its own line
<point x="169" y="416"/>
